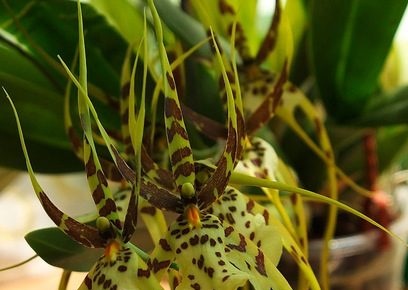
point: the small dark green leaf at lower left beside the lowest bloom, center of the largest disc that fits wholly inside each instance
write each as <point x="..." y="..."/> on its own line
<point x="57" y="249"/>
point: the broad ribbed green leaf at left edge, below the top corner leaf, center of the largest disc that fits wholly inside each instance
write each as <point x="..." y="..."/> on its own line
<point x="45" y="137"/>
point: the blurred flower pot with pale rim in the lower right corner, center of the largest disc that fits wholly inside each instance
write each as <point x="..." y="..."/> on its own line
<point x="362" y="261"/>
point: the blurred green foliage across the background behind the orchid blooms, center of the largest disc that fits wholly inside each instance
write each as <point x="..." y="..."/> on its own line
<point x="338" y="49"/>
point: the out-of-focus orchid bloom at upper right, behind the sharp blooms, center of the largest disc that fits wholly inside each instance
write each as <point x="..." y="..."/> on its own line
<point x="268" y="94"/>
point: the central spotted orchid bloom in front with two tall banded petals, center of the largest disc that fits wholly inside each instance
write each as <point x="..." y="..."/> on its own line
<point x="209" y="253"/>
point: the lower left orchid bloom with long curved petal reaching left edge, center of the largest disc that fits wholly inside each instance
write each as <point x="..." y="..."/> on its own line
<point x="120" y="264"/>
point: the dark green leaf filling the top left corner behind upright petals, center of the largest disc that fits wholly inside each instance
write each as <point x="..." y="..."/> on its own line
<point x="52" y="26"/>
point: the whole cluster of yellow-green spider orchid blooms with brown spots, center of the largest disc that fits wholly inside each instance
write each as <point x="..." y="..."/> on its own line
<point x="222" y="238"/>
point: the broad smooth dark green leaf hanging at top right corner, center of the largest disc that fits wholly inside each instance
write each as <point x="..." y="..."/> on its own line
<point x="350" y="41"/>
